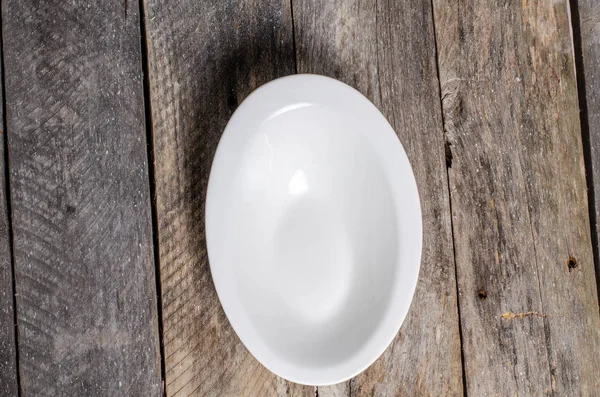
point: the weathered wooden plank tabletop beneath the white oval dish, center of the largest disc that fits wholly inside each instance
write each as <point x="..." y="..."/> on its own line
<point x="112" y="113"/>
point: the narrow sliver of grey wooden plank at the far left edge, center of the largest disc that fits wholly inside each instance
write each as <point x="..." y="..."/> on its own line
<point x="8" y="360"/>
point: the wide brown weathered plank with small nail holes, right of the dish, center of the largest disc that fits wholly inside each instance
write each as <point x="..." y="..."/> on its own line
<point x="528" y="301"/>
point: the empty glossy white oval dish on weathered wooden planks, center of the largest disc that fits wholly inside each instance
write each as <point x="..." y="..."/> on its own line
<point x="313" y="229"/>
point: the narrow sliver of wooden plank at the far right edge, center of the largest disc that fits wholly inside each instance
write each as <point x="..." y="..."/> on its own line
<point x="587" y="33"/>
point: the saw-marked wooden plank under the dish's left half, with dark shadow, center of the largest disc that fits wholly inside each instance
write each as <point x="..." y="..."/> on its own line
<point x="204" y="58"/>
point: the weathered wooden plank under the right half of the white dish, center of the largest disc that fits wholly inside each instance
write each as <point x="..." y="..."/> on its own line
<point x="386" y="50"/>
